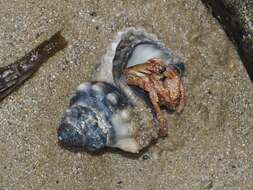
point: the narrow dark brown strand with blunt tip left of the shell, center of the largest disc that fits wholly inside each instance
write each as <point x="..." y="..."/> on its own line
<point x="14" y="75"/>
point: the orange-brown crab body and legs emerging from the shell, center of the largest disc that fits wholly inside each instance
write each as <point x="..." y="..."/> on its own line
<point x="162" y="82"/>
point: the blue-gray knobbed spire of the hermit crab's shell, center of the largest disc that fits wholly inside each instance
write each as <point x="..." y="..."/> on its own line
<point x="88" y="120"/>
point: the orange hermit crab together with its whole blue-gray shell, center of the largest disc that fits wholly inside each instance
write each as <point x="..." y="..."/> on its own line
<point x="121" y="106"/>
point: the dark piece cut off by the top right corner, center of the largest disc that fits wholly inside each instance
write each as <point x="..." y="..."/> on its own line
<point x="236" y="16"/>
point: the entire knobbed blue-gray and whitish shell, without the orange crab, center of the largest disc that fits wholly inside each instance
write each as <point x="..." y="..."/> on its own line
<point x="109" y="112"/>
